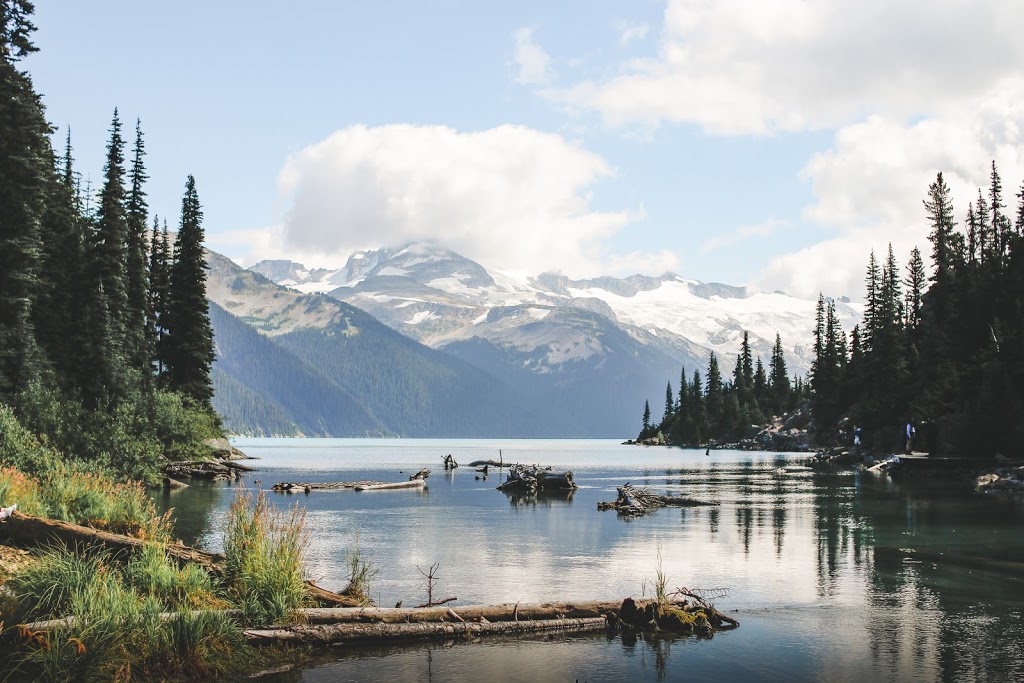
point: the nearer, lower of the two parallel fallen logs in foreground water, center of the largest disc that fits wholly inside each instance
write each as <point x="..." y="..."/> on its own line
<point x="349" y="633"/>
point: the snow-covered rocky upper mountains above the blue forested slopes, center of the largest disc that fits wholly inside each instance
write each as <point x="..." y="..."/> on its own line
<point x="443" y="300"/>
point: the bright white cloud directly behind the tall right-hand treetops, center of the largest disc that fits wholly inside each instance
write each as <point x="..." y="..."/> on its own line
<point x="872" y="183"/>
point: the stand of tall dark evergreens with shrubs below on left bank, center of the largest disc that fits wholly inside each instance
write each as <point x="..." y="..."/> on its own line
<point x="106" y="344"/>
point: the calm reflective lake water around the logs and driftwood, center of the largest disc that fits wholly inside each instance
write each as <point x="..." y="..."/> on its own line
<point x="834" y="576"/>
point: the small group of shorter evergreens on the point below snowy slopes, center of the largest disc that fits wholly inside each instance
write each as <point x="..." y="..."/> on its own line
<point x="716" y="409"/>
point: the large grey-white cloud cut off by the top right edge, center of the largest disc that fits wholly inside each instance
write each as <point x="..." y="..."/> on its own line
<point x="753" y="67"/>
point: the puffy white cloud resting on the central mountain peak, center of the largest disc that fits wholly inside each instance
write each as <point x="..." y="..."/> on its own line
<point x="509" y="197"/>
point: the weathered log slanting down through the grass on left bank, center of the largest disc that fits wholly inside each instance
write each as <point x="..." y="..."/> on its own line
<point x="29" y="530"/>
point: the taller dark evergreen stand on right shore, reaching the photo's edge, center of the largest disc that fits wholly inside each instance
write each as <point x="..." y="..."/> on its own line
<point x="944" y="350"/>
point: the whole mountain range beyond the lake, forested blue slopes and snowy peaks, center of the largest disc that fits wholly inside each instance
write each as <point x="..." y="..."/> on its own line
<point x="420" y="341"/>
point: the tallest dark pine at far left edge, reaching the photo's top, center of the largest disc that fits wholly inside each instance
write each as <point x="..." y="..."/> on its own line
<point x="26" y="167"/>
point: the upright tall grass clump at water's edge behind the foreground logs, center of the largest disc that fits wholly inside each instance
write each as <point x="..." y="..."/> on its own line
<point x="264" y="567"/>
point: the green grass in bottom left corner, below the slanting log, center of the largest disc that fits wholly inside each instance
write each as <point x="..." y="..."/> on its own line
<point x="116" y="631"/>
